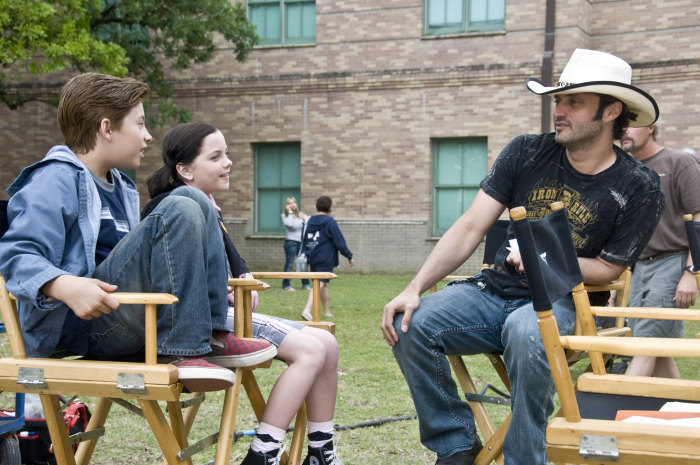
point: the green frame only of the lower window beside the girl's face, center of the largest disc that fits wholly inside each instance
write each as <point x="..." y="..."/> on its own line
<point x="284" y="191"/>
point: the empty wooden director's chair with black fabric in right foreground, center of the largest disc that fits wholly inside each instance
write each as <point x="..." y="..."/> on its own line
<point x="589" y="434"/>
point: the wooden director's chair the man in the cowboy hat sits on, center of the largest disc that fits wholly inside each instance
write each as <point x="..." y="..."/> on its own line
<point x="478" y="399"/>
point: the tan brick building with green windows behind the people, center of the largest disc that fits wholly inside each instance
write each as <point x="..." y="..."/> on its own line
<point x="394" y="108"/>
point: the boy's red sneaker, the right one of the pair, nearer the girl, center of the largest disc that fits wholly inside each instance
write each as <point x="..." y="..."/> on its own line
<point x="232" y="352"/>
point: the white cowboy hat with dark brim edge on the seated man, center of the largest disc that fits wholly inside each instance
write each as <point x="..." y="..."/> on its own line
<point x="602" y="73"/>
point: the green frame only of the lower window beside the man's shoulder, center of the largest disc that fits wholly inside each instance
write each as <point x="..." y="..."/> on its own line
<point x="435" y="143"/>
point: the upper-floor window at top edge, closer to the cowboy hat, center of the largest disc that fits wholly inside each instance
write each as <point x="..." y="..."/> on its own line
<point x="455" y="16"/>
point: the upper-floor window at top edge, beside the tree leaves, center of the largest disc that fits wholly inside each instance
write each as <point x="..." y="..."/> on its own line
<point x="283" y="21"/>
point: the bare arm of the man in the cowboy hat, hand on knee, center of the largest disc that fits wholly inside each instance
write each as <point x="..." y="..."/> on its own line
<point x="453" y="249"/>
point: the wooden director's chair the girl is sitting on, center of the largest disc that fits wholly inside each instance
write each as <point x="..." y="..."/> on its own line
<point x="243" y="327"/>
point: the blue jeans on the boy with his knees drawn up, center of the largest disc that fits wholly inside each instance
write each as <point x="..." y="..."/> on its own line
<point x="176" y="249"/>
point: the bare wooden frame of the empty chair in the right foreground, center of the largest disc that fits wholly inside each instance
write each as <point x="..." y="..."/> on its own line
<point x="572" y="439"/>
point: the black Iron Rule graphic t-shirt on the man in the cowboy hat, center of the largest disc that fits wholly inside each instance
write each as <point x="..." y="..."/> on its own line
<point x="612" y="214"/>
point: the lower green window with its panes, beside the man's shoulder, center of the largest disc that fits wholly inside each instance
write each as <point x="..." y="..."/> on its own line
<point x="459" y="165"/>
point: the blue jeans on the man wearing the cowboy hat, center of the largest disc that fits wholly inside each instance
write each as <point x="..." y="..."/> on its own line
<point x="465" y="319"/>
